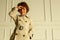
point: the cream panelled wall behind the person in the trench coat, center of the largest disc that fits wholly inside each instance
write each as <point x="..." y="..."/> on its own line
<point x="45" y="15"/>
